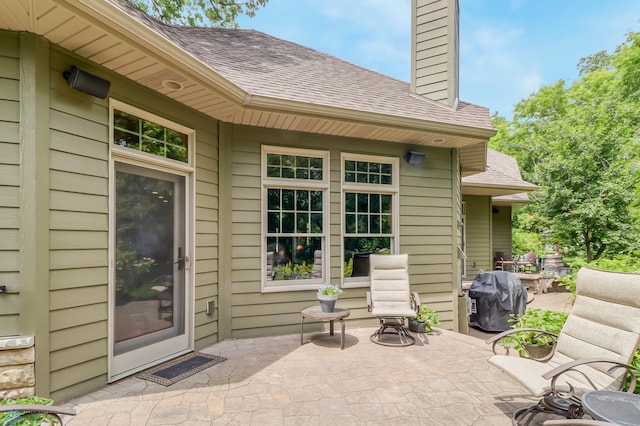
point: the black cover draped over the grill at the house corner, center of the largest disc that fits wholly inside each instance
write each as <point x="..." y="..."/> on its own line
<point x="497" y="294"/>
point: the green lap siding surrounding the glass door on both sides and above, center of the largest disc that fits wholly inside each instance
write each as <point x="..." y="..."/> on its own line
<point x="80" y="223"/>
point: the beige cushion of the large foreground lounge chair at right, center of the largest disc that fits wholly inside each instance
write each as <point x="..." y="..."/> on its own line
<point x="604" y="323"/>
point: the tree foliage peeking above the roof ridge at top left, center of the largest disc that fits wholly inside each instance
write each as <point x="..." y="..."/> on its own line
<point x="215" y="13"/>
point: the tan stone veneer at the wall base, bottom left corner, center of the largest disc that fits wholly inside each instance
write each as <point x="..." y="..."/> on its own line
<point x="17" y="374"/>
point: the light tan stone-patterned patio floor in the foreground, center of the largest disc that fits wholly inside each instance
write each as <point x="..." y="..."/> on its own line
<point x="443" y="379"/>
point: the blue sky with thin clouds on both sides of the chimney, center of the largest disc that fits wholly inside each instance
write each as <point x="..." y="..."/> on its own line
<point x="508" y="48"/>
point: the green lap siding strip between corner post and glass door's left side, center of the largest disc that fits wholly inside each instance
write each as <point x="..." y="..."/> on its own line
<point x="78" y="236"/>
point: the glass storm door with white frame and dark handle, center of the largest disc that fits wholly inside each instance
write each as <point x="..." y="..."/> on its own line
<point x="148" y="309"/>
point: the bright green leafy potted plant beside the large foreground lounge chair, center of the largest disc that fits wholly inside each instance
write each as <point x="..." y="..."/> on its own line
<point x="539" y="342"/>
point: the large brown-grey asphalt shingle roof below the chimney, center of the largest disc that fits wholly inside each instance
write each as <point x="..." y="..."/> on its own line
<point x="264" y="65"/>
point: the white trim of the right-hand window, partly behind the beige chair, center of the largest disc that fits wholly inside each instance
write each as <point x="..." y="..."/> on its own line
<point x="393" y="189"/>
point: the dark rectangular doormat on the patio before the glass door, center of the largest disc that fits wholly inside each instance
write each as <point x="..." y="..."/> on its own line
<point x="173" y="371"/>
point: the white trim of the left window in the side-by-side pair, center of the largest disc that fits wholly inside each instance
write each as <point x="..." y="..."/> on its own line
<point x="271" y="286"/>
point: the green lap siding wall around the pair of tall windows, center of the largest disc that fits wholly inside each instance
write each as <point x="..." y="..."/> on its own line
<point x="425" y="231"/>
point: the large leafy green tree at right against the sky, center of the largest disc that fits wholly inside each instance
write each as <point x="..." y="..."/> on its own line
<point x="580" y="145"/>
